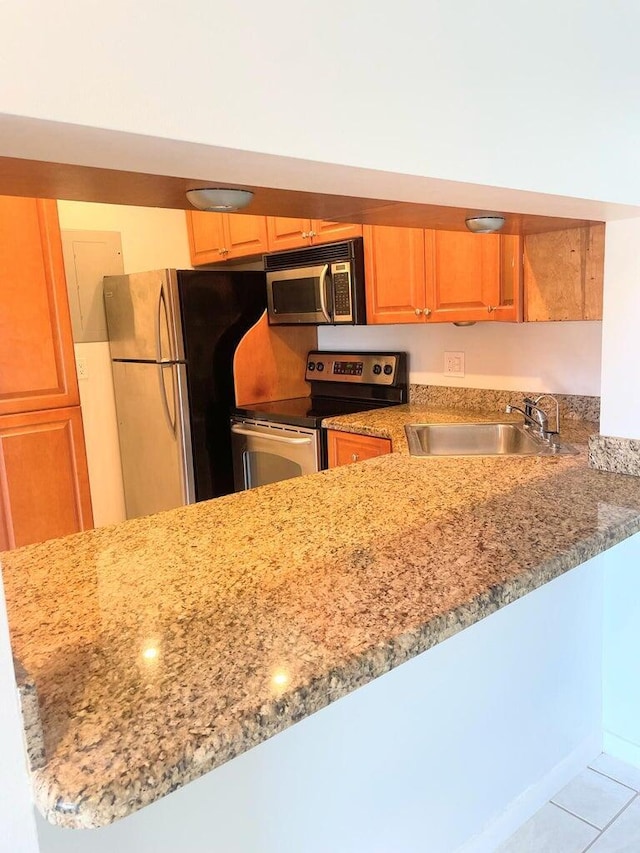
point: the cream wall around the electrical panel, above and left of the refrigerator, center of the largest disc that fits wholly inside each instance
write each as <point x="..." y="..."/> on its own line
<point x="152" y="238"/>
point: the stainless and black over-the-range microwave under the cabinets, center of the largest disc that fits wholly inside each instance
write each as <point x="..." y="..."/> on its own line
<point x="320" y="285"/>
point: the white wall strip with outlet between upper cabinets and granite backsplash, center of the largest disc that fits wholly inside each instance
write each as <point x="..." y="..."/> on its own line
<point x="561" y="358"/>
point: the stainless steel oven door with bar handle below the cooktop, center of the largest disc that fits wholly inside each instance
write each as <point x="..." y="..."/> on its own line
<point x="265" y="452"/>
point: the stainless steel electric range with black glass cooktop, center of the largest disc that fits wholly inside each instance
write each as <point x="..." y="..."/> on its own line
<point x="282" y="439"/>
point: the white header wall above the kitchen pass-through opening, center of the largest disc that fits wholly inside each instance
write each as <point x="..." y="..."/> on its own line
<point x="500" y="95"/>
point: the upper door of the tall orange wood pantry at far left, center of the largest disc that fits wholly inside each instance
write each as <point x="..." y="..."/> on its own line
<point x="37" y="363"/>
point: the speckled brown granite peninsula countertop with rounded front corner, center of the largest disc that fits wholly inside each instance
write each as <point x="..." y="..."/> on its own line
<point x="162" y="647"/>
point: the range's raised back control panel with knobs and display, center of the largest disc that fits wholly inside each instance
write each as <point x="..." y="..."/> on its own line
<point x="369" y="368"/>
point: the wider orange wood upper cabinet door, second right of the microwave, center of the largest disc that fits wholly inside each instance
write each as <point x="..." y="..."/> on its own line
<point x="472" y="277"/>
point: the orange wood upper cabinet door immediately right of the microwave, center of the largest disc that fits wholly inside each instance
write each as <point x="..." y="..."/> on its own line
<point x="394" y="274"/>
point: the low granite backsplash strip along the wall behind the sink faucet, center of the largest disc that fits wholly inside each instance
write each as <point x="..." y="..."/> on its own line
<point x="572" y="406"/>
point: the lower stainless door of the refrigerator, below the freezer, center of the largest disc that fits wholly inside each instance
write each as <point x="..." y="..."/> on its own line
<point x="154" y="435"/>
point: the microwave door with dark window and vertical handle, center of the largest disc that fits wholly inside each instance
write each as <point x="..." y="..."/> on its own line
<point x="300" y="295"/>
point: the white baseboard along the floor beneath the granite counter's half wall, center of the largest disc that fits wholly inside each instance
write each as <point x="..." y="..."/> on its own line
<point x="534" y="797"/>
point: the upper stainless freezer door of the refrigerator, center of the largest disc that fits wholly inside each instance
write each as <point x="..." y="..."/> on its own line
<point x="143" y="316"/>
